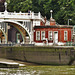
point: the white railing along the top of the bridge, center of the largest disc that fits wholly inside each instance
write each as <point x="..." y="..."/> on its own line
<point x="21" y="15"/>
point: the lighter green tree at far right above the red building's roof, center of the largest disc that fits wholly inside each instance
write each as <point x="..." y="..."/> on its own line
<point x="66" y="11"/>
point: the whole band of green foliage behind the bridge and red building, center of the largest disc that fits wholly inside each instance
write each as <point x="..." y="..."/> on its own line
<point x="62" y="9"/>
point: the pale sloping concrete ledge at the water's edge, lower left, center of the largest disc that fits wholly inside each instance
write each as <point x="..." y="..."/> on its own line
<point x="13" y="63"/>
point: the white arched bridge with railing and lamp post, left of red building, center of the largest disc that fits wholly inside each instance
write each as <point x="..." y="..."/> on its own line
<point x="22" y="23"/>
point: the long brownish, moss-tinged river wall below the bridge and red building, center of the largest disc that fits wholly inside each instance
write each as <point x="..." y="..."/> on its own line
<point x="41" y="55"/>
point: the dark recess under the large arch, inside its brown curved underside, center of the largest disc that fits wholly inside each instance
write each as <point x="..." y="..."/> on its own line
<point x="14" y="35"/>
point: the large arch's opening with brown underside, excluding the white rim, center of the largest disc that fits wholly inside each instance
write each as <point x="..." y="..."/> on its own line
<point x="17" y="34"/>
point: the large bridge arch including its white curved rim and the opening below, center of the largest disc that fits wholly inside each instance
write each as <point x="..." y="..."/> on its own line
<point x="16" y="33"/>
